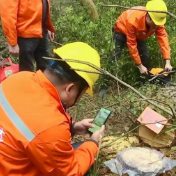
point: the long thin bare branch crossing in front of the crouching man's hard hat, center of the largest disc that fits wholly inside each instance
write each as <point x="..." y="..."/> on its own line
<point x="102" y="71"/>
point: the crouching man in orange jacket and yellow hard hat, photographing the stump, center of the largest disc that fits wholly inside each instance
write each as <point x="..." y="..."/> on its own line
<point x="35" y="130"/>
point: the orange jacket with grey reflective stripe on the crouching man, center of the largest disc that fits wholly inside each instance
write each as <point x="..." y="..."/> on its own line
<point x="35" y="138"/>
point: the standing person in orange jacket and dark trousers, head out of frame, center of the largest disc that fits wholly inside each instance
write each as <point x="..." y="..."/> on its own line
<point x="27" y="25"/>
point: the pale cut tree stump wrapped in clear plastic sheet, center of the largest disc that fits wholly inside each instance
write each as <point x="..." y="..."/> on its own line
<point x="136" y="161"/>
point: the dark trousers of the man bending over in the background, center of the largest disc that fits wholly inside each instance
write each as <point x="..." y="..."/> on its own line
<point x="120" y="42"/>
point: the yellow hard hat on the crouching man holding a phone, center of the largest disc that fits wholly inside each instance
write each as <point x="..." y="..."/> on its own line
<point x="82" y="52"/>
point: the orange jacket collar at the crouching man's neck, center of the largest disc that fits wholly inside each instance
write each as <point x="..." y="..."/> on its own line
<point x="48" y="86"/>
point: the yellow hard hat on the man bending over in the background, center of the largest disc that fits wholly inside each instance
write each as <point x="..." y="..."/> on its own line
<point x="157" y="5"/>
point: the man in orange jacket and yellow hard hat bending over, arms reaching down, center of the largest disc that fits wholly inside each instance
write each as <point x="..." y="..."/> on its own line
<point x="133" y="26"/>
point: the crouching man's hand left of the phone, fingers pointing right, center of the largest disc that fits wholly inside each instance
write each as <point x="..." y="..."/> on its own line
<point x="82" y="126"/>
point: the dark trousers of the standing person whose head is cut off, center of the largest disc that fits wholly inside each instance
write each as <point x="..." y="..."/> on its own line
<point x="32" y="50"/>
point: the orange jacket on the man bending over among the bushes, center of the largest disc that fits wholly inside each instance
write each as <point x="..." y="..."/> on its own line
<point x="132" y="23"/>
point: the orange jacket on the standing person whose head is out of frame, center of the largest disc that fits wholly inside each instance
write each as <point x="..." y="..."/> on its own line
<point x="23" y="18"/>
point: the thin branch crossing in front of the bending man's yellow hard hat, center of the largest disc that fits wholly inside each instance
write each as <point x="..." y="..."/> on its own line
<point x="131" y="8"/>
